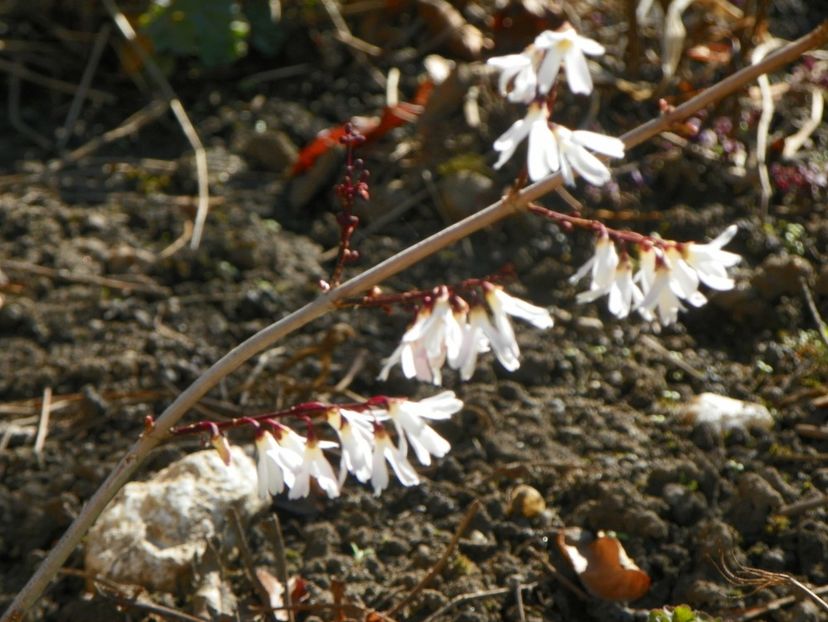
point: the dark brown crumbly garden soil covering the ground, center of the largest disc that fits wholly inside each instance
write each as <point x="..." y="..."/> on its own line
<point x="592" y="420"/>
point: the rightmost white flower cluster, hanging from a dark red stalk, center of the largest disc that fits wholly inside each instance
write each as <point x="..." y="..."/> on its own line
<point x="668" y="273"/>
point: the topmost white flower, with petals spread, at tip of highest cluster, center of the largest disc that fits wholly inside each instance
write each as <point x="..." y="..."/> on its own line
<point x="567" y="46"/>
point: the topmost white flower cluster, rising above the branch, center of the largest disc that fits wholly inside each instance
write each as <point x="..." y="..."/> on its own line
<point x="528" y="78"/>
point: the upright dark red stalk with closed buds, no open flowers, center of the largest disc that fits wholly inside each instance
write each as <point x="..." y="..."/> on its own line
<point x="354" y="185"/>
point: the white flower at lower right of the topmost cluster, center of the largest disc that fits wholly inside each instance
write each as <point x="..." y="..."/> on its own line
<point x="572" y="147"/>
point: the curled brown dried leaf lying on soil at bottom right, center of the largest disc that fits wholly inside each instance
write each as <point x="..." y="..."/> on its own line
<point x="603" y="566"/>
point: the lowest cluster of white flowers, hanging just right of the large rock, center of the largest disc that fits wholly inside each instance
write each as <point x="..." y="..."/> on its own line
<point x="286" y="459"/>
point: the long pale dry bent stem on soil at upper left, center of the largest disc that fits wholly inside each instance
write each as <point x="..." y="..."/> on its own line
<point x="202" y="174"/>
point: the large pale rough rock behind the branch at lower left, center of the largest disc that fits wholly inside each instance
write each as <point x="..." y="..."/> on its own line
<point x="151" y="532"/>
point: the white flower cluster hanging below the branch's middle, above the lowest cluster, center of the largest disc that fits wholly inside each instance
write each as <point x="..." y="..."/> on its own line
<point x="448" y="330"/>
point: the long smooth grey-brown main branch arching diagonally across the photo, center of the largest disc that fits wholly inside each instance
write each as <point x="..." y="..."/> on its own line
<point x="328" y="301"/>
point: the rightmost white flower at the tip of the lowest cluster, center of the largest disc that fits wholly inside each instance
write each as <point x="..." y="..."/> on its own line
<point x="409" y="419"/>
